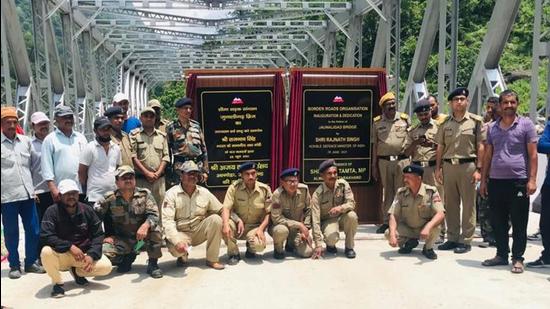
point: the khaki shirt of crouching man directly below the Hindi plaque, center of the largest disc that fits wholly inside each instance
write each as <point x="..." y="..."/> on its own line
<point x="251" y="206"/>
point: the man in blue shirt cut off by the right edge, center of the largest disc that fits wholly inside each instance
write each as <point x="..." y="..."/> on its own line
<point x="544" y="224"/>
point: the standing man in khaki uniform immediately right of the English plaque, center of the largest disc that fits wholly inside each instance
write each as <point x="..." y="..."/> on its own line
<point x="389" y="131"/>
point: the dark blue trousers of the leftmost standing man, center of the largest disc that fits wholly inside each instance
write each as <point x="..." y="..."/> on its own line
<point x="10" y="219"/>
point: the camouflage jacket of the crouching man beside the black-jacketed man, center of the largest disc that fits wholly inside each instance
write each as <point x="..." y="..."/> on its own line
<point x="125" y="218"/>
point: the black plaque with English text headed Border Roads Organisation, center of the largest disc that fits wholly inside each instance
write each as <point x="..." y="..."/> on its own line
<point x="336" y="125"/>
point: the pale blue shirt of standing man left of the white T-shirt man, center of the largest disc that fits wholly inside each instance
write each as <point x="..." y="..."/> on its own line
<point x="61" y="155"/>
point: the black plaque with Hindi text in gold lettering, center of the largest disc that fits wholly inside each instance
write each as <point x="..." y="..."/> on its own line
<point x="237" y="128"/>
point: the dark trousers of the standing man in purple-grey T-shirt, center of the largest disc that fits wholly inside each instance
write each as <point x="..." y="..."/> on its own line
<point x="509" y="202"/>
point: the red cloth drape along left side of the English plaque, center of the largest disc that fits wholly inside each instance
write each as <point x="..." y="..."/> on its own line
<point x="295" y="119"/>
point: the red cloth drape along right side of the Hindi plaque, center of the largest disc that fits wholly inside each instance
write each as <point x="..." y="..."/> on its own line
<point x="277" y="128"/>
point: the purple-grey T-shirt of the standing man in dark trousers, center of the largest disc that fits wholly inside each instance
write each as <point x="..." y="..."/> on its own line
<point x="510" y="159"/>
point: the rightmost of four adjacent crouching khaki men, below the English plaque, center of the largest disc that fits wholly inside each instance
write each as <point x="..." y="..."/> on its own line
<point x="332" y="210"/>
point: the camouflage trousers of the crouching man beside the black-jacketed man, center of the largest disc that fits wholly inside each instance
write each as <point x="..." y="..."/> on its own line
<point x="124" y="246"/>
